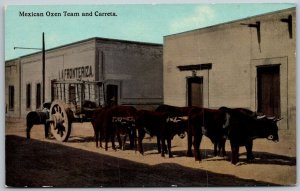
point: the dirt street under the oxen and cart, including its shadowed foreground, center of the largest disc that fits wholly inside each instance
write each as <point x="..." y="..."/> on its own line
<point x="78" y="163"/>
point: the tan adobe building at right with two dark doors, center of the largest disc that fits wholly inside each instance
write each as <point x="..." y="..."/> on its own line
<point x="248" y="63"/>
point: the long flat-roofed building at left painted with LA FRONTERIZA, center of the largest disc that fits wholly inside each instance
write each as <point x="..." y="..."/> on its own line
<point x="132" y="72"/>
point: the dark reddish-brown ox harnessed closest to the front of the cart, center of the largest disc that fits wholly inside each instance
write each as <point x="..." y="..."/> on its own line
<point x="109" y="122"/>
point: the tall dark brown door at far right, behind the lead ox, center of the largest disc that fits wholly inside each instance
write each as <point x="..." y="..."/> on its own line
<point x="268" y="90"/>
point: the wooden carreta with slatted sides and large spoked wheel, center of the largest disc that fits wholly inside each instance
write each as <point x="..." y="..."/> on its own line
<point x="73" y="102"/>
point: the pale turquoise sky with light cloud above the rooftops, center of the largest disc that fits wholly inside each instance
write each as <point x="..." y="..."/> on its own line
<point x="146" y="23"/>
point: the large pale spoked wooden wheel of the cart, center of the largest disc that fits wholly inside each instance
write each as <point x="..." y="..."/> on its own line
<point x="61" y="120"/>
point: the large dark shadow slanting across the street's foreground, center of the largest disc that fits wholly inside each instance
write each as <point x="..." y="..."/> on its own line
<point x="35" y="163"/>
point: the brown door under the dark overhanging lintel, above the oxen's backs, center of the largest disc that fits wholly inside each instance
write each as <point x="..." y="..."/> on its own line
<point x="195" y="91"/>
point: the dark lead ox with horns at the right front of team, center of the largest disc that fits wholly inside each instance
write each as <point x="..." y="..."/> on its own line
<point x="244" y="128"/>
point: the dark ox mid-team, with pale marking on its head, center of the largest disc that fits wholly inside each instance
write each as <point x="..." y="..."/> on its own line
<point x="161" y="125"/>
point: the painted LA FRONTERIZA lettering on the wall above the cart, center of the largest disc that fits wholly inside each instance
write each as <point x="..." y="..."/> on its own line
<point x="76" y="73"/>
